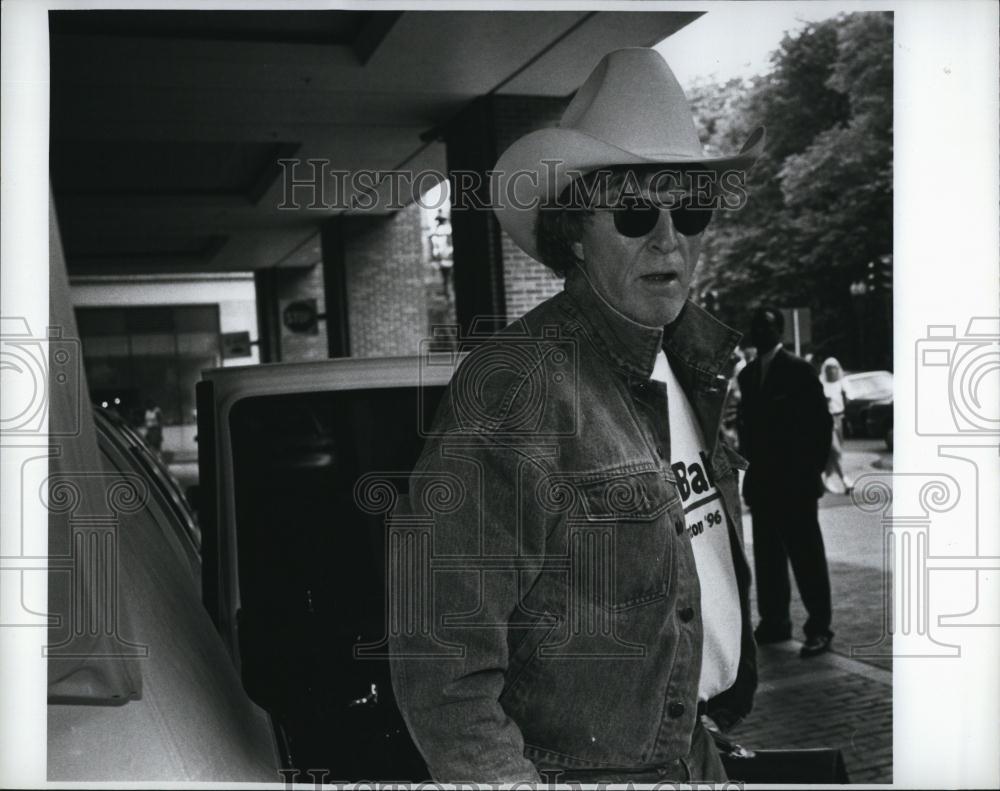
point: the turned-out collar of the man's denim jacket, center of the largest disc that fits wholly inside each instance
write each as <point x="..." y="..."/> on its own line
<point x="695" y="339"/>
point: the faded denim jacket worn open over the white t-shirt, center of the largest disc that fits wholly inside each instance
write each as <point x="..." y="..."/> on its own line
<point x="548" y="616"/>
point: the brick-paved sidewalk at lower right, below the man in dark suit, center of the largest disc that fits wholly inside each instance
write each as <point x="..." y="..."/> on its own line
<point x="825" y="701"/>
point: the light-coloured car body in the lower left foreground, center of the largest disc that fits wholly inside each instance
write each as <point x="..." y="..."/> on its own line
<point x="140" y="685"/>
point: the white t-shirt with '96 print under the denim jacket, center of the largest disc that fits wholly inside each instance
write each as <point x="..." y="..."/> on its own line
<point x="706" y="525"/>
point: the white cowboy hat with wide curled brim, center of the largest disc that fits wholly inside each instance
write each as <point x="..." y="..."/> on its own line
<point x="630" y="111"/>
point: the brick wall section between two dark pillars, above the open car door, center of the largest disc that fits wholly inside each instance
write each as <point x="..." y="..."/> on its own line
<point x="386" y="294"/>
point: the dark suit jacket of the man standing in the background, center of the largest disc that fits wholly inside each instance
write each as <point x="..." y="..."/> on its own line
<point x="785" y="428"/>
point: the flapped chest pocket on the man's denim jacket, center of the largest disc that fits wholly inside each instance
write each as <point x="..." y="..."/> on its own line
<point x="621" y="528"/>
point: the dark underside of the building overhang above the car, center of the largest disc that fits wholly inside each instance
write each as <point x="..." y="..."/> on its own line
<point x="167" y="127"/>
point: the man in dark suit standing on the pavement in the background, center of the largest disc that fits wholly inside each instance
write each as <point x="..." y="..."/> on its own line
<point x="785" y="433"/>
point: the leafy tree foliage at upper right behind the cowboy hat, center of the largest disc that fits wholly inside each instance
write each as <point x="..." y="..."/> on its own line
<point x="820" y="204"/>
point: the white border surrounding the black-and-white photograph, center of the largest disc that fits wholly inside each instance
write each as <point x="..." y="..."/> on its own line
<point x="946" y="729"/>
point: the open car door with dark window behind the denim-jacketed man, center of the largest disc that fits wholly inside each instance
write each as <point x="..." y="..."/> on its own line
<point x="294" y="565"/>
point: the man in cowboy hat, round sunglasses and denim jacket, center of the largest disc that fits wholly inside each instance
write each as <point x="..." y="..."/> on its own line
<point x="588" y="601"/>
